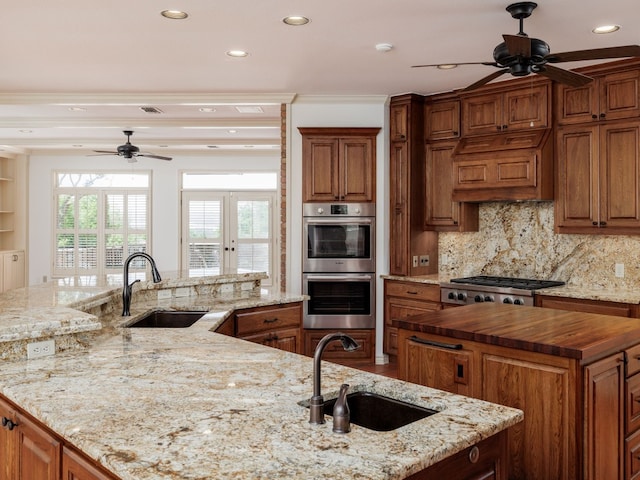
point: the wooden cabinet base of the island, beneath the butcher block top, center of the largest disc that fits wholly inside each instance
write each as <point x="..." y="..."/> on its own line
<point x="567" y="406"/>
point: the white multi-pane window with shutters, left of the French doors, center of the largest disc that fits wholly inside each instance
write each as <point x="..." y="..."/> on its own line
<point x="100" y="219"/>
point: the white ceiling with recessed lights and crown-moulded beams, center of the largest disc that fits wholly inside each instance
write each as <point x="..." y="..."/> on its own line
<point x="111" y="58"/>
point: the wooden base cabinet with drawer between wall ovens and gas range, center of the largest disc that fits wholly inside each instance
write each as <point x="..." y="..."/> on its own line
<point x="402" y="300"/>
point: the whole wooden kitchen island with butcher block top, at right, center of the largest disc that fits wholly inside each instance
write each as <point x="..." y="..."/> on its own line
<point x="575" y="375"/>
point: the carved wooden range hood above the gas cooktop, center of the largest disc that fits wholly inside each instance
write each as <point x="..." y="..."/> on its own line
<point x="504" y="167"/>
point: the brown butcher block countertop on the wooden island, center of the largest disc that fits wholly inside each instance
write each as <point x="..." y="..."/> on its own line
<point x="582" y="336"/>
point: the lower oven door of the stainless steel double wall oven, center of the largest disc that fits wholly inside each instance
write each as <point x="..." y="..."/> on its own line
<point x="339" y="300"/>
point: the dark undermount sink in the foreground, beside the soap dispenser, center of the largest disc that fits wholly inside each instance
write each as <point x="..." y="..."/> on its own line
<point x="379" y="413"/>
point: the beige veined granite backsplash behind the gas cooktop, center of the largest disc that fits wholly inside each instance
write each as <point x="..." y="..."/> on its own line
<point x="517" y="239"/>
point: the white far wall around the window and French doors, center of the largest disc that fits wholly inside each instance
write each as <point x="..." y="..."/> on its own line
<point x="165" y="202"/>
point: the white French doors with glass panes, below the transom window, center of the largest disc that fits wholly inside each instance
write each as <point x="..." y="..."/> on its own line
<point x="228" y="232"/>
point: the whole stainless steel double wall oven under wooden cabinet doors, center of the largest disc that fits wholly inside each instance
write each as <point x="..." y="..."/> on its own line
<point x="339" y="265"/>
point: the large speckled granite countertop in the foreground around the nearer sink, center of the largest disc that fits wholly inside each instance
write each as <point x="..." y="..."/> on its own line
<point x="189" y="403"/>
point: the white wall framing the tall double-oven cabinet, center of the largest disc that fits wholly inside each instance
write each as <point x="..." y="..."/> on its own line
<point x="315" y="111"/>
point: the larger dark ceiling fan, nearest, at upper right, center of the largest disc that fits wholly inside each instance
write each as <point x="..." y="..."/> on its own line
<point x="521" y="55"/>
